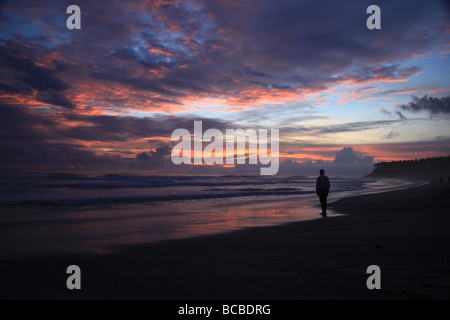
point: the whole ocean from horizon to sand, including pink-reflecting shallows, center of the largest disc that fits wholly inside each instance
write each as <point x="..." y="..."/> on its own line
<point x="47" y="213"/>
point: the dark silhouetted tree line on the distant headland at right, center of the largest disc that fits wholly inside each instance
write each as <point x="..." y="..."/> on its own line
<point x="437" y="169"/>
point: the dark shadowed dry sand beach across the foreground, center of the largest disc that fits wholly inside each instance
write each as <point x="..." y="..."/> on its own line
<point x="404" y="232"/>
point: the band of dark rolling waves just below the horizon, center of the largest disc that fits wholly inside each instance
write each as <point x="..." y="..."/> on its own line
<point x="62" y="189"/>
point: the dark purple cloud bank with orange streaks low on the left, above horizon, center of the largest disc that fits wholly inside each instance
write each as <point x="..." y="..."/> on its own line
<point x="33" y="139"/>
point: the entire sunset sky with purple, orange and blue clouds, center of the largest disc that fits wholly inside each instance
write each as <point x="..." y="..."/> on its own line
<point x="109" y="95"/>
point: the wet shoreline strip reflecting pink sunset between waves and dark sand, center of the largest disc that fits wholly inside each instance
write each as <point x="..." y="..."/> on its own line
<point x="31" y="232"/>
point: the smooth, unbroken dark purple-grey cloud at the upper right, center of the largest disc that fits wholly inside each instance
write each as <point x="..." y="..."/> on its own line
<point x="322" y="35"/>
